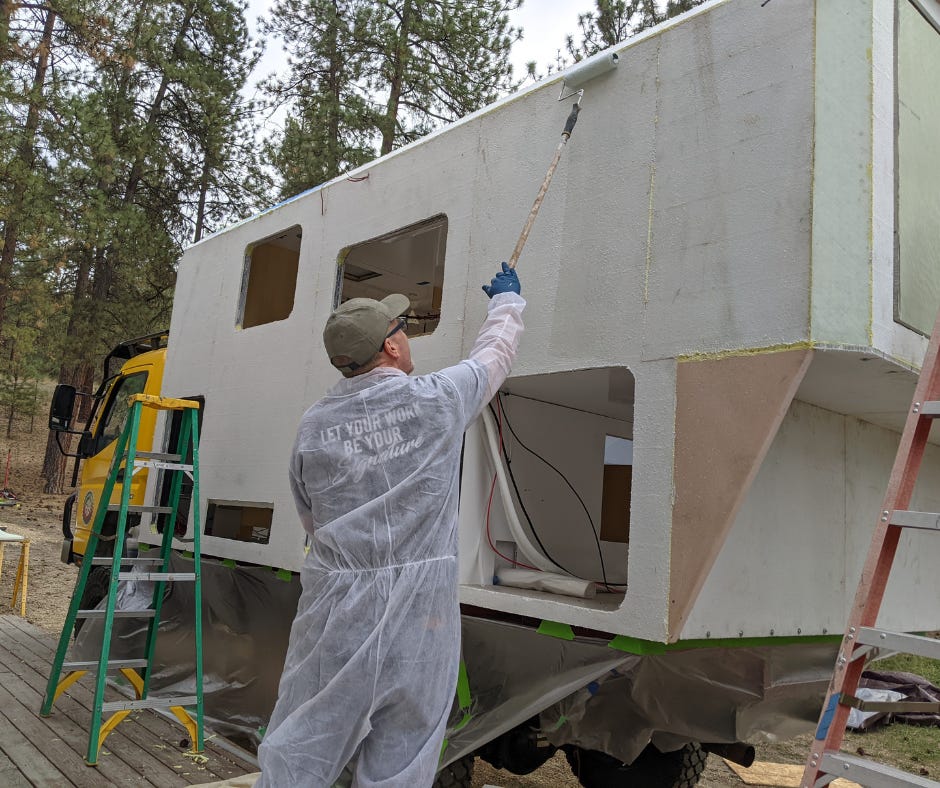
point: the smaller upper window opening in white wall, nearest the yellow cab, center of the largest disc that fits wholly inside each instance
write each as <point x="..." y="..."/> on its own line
<point x="270" y="279"/>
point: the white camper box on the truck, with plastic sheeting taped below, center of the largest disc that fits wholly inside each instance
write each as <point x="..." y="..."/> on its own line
<point x="729" y="287"/>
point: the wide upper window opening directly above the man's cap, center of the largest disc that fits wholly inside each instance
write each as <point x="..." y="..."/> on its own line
<point x="408" y="261"/>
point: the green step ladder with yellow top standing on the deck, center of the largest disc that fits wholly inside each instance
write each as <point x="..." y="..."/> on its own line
<point x="137" y="671"/>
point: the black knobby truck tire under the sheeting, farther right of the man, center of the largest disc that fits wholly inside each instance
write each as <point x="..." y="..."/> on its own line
<point x="652" y="769"/>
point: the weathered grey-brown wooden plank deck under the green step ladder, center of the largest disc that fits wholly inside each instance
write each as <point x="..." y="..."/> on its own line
<point x="145" y="749"/>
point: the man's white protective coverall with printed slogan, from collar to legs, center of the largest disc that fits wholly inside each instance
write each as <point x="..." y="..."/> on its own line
<point x="371" y="667"/>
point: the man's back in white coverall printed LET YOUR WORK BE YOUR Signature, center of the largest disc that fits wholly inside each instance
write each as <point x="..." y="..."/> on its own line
<point x="374" y="465"/>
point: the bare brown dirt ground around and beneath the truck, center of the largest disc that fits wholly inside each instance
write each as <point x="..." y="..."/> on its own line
<point x="38" y="517"/>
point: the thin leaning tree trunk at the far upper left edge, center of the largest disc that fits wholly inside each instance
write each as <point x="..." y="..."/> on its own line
<point x="27" y="160"/>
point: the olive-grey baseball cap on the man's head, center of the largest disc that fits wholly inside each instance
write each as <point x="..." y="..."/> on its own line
<point x="356" y="330"/>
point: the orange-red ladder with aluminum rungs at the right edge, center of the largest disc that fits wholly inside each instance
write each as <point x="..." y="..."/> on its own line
<point x="826" y="762"/>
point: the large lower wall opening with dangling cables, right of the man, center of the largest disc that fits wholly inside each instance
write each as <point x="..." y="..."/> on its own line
<point x="567" y="456"/>
